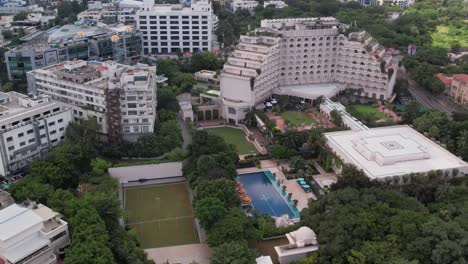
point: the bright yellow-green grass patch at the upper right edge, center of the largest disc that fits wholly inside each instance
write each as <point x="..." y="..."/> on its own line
<point x="445" y="36"/>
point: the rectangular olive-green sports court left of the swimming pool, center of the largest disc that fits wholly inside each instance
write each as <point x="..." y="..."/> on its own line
<point x="161" y="215"/>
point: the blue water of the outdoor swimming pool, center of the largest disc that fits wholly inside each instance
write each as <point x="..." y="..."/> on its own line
<point x="266" y="197"/>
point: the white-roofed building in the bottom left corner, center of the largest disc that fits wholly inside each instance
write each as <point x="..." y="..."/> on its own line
<point x="31" y="234"/>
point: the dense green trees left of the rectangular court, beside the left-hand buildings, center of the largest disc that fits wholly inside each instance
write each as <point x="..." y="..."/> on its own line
<point x="93" y="216"/>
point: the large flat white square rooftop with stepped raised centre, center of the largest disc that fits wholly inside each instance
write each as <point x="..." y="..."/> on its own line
<point x="391" y="151"/>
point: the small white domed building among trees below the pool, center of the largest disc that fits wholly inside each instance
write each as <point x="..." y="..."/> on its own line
<point x="302" y="243"/>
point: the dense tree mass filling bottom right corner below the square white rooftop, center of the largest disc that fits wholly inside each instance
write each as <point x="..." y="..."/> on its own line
<point x="364" y="222"/>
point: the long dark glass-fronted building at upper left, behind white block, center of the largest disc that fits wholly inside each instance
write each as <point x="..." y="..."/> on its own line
<point x="73" y="41"/>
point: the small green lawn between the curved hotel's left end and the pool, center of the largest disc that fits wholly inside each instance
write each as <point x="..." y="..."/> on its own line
<point x="235" y="137"/>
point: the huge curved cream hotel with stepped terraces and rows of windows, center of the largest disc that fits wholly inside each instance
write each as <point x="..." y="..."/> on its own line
<point x="303" y="57"/>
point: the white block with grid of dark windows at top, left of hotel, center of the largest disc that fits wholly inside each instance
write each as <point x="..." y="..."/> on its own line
<point x="173" y="28"/>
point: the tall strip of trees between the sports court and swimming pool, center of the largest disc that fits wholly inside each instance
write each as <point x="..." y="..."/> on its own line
<point x="211" y="171"/>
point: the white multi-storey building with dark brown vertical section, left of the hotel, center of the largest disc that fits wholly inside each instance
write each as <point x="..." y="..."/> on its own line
<point x="121" y="98"/>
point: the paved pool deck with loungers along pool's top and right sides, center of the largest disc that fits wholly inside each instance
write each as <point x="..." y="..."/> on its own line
<point x="291" y="185"/>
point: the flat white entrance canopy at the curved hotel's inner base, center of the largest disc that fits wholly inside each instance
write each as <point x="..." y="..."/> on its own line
<point x="312" y="90"/>
